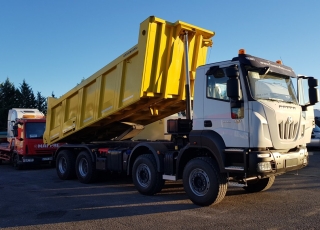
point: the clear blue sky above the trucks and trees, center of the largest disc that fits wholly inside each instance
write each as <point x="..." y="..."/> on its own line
<point x="54" y="44"/>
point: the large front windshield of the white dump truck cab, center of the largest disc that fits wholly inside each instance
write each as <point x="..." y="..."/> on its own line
<point x="271" y="86"/>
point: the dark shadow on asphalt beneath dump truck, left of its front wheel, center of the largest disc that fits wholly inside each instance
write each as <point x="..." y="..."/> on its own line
<point x="112" y="196"/>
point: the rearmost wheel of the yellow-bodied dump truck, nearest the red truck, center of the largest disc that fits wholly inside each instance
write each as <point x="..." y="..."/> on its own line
<point x="65" y="165"/>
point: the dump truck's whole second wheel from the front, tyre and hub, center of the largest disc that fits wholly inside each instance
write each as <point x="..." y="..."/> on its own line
<point x="146" y="178"/>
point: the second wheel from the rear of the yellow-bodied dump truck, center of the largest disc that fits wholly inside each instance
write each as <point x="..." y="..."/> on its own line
<point x="85" y="168"/>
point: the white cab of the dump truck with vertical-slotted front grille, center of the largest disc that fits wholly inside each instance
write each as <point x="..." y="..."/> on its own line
<point x="256" y="111"/>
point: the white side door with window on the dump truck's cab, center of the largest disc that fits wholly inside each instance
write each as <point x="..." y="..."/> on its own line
<point x="222" y="114"/>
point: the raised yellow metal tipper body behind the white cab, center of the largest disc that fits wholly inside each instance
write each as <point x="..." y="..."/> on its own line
<point x="144" y="84"/>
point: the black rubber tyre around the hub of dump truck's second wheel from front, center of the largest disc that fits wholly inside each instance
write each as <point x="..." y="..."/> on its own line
<point x="159" y="182"/>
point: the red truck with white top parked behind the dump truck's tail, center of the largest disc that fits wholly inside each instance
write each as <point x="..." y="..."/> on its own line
<point x="24" y="143"/>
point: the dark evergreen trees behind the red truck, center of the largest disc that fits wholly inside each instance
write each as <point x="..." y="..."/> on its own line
<point x="19" y="97"/>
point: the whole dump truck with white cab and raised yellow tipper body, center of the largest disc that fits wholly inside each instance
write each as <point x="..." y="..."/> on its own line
<point x="230" y="133"/>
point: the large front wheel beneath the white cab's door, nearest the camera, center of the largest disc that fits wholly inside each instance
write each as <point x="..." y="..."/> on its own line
<point x="203" y="182"/>
